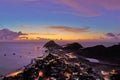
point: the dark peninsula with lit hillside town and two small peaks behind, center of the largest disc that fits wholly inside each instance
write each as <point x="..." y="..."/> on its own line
<point x="64" y="63"/>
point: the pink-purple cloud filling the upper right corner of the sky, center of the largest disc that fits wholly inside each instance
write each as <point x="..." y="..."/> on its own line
<point x="91" y="7"/>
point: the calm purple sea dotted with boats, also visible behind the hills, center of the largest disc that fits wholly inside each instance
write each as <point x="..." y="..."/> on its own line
<point x="15" y="55"/>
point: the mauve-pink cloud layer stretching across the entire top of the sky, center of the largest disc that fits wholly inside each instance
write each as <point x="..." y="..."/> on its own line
<point x="75" y="7"/>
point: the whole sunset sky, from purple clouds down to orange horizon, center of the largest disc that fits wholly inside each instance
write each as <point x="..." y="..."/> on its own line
<point x="60" y="19"/>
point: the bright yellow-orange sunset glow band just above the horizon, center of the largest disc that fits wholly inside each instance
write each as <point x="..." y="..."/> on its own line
<point x="58" y="37"/>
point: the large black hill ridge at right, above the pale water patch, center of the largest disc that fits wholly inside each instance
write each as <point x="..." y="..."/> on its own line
<point x="101" y="52"/>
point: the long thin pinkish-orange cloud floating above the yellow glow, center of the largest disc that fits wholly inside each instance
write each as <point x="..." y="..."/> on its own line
<point x="69" y="29"/>
